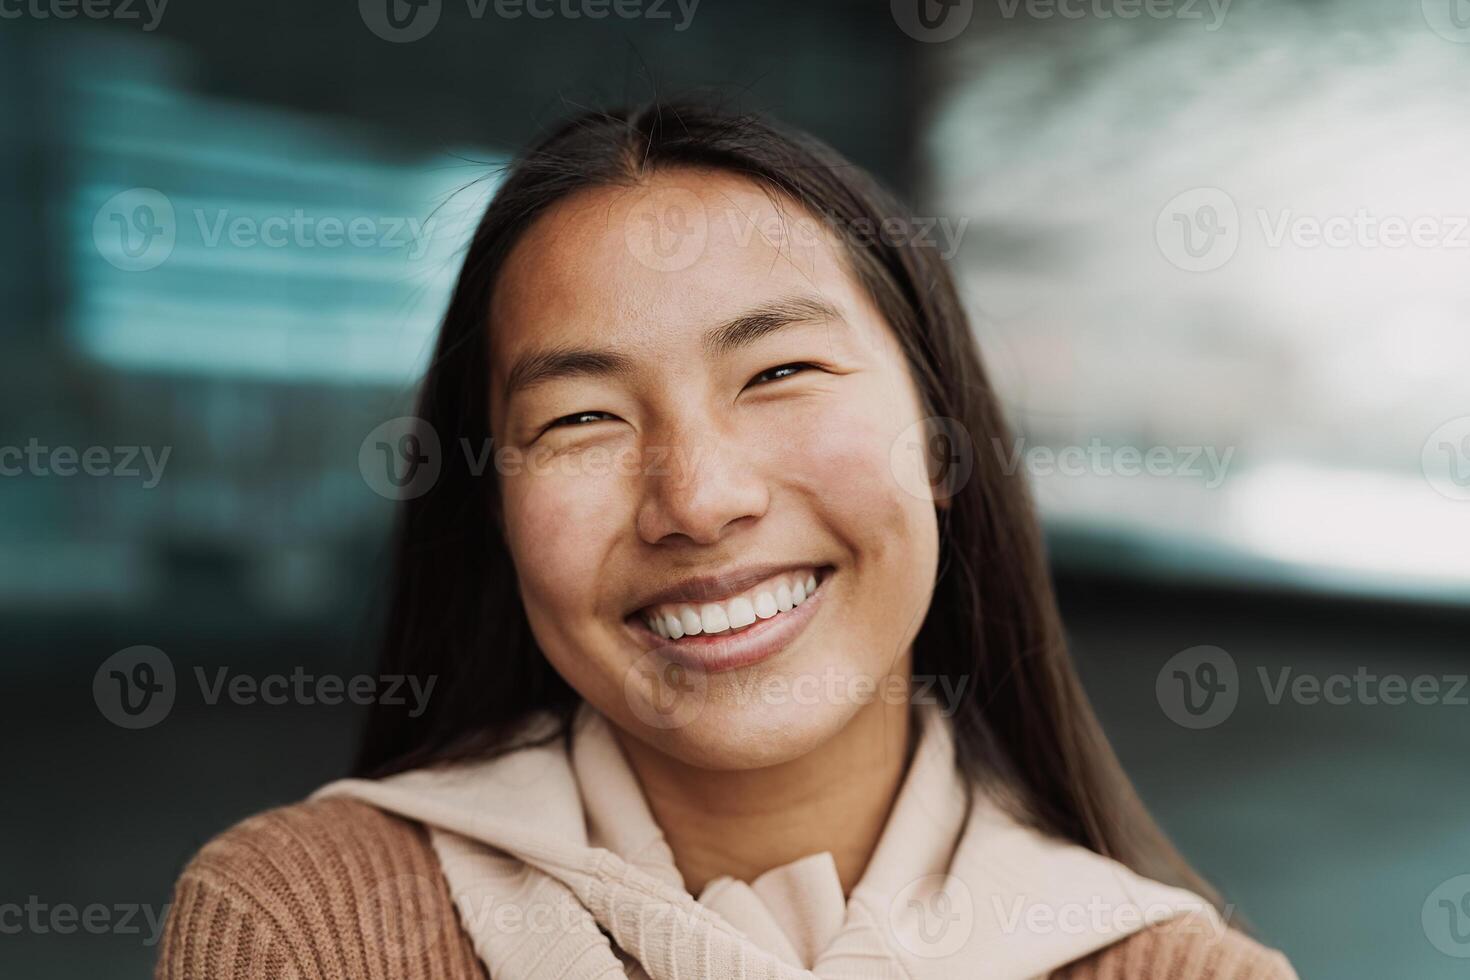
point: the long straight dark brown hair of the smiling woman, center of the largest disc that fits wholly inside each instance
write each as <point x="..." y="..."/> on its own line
<point x="455" y="612"/>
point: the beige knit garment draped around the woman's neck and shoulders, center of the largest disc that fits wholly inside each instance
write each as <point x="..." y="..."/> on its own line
<point x="558" y="869"/>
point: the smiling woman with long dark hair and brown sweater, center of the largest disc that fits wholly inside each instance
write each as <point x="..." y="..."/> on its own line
<point x="684" y="722"/>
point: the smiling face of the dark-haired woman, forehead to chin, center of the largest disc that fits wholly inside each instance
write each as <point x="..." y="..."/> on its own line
<point x="699" y="415"/>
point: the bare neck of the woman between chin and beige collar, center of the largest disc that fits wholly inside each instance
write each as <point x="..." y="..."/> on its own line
<point x="742" y="824"/>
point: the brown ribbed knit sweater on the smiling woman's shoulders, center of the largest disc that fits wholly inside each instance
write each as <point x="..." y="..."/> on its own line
<point x="340" y="891"/>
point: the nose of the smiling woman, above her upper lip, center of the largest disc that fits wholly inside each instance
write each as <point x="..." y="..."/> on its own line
<point x="699" y="486"/>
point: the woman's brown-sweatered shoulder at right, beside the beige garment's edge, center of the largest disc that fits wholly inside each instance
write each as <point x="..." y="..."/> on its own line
<point x="1177" y="951"/>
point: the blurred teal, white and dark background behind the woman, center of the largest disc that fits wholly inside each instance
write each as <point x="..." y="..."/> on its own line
<point x="1216" y="253"/>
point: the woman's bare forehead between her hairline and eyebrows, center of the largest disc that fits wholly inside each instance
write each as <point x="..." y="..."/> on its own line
<point x="656" y="264"/>
